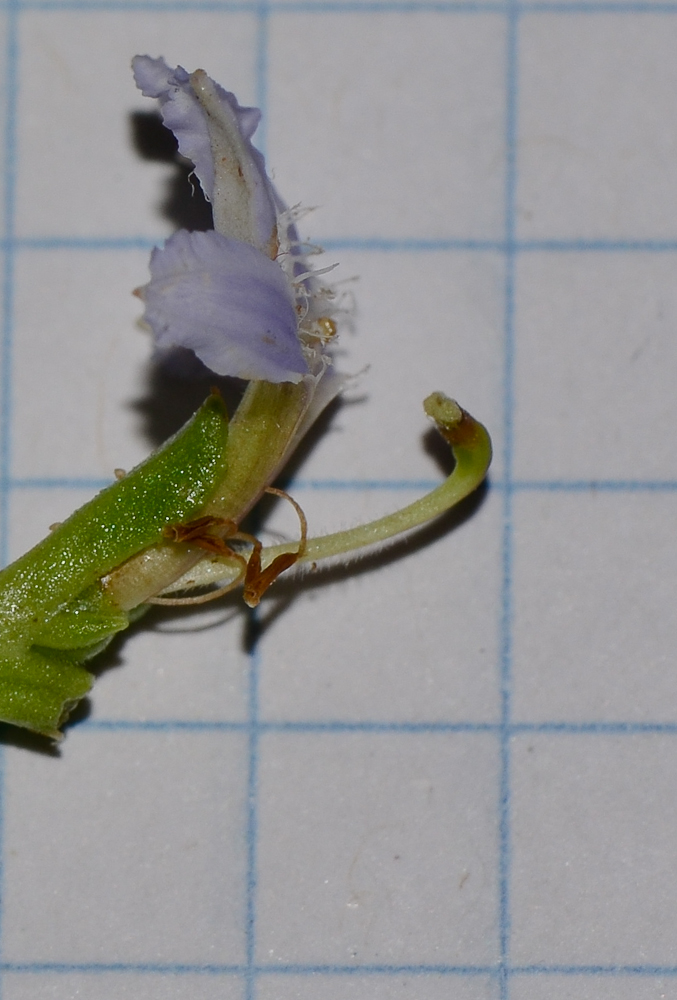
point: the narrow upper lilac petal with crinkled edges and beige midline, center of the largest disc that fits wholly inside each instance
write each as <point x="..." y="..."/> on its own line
<point x="214" y="132"/>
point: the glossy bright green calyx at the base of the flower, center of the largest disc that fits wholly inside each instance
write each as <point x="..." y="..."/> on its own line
<point x="54" y="613"/>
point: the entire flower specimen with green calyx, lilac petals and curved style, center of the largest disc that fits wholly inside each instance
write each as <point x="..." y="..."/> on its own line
<point x="245" y="300"/>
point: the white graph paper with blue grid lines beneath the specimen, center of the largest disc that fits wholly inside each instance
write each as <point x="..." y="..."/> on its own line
<point x="450" y="775"/>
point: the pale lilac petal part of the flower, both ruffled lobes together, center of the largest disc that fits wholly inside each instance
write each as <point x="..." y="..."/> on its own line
<point x="242" y="296"/>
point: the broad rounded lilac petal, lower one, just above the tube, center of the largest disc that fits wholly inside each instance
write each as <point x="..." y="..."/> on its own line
<point x="227" y="302"/>
